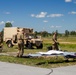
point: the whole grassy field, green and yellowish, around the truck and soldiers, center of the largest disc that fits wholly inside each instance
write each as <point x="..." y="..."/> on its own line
<point x="67" y="43"/>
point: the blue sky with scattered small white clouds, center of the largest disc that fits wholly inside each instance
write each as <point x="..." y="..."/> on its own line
<point x="48" y="15"/>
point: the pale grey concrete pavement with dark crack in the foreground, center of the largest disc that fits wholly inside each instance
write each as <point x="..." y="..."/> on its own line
<point x="17" y="69"/>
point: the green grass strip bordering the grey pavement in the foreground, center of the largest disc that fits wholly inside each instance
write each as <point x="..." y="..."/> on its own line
<point x="50" y="62"/>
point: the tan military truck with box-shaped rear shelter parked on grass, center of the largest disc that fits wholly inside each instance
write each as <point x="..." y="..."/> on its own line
<point x="10" y="37"/>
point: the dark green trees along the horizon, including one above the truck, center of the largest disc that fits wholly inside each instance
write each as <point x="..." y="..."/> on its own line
<point x="47" y="34"/>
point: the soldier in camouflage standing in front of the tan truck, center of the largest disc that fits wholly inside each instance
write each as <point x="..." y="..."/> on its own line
<point x="20" y="39"/>
